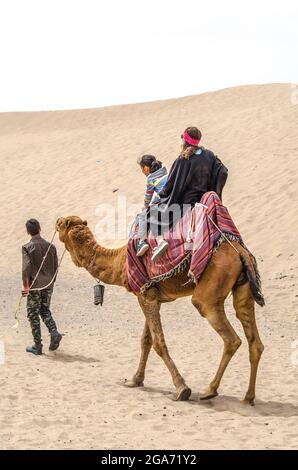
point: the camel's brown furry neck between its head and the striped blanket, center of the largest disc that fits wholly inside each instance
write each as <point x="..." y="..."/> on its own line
<point x="106" y="265"/>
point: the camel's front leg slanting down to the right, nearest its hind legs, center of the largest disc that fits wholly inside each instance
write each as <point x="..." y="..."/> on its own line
<point x="151" y="307"/>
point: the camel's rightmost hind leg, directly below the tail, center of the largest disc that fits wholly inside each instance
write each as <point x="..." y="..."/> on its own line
<point x="244" y="305"/>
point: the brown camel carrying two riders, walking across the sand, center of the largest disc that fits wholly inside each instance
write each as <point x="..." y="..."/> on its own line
<point x="227" y="271"/>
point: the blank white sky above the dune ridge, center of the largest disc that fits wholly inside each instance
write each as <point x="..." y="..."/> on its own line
<point x="60" y="54"/>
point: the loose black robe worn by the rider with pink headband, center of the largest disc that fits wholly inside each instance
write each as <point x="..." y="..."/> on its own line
<point x="188" y="180"/>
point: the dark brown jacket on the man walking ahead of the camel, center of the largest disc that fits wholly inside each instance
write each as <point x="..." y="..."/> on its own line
<point x="32" y="257"/>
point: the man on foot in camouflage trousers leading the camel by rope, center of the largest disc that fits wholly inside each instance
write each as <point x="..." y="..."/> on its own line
<point x="38" y="301"/>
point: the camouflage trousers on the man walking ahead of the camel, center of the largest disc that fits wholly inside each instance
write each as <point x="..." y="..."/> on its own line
<point x="38" y="305"/>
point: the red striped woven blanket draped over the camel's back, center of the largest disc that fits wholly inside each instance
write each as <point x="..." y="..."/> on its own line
<point x="191" y="243"/>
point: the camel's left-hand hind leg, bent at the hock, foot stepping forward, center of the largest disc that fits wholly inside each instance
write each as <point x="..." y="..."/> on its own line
<point x="215" y="314"/>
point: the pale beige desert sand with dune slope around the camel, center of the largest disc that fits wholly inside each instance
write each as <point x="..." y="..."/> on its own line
<point x="75" y="397"/>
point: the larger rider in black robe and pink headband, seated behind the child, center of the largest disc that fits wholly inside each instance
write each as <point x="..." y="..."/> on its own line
<point x="195" y="172"/>
